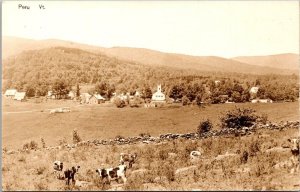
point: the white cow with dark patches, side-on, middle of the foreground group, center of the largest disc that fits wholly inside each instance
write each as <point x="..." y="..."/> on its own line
<point x="113" y="173"/>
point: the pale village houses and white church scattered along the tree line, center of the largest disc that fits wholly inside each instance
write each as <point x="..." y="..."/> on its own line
<point x="158" y="98"/>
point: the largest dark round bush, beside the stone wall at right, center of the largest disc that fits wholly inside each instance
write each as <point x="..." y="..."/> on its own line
<point x="238" y="118"/>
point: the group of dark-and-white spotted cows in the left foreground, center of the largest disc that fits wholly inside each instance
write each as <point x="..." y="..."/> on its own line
<point x="105" y="174"/>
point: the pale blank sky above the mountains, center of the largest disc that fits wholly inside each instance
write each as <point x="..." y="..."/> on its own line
<point x="203" y="28"/>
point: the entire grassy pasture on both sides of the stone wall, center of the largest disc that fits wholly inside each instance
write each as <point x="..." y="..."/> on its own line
<point x="160" y="166"/>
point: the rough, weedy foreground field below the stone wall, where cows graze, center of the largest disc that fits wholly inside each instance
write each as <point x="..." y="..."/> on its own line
<point x="165" y="166"/>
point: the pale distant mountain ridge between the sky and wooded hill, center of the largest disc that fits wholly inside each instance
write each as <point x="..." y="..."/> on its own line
<point x="14" y="46"/>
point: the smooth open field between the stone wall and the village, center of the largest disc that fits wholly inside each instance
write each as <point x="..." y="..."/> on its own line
<point x="33" y="120"/>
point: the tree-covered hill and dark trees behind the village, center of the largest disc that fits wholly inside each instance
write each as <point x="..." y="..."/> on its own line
<point x="59" y="69"/>
